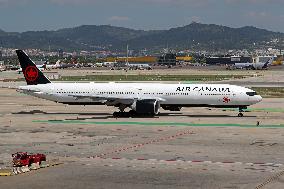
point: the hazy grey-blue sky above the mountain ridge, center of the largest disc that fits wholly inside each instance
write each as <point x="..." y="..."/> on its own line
<point x="24" y="15"/>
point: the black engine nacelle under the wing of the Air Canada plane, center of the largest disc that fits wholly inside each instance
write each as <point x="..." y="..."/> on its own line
<point x="150" y="107"/>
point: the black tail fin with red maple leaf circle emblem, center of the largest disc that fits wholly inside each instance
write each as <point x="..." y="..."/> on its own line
<point x="32" y="74"/>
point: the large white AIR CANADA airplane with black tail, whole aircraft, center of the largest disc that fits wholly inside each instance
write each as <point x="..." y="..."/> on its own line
<point x="141" y="98"/>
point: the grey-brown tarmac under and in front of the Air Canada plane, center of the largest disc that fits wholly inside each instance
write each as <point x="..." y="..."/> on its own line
<point x="194" y="148"/>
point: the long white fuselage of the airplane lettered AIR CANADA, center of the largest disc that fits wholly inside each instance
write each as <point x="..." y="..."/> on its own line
<point x="183" y="95"/>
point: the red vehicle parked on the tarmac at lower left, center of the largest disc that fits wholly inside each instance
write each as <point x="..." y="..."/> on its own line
<point x="23" y="159"/>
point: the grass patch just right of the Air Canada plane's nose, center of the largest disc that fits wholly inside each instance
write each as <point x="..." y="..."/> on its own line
<point x="270" y="92"/>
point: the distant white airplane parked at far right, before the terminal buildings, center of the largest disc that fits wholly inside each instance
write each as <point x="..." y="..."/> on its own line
<point x="253" y="66"/>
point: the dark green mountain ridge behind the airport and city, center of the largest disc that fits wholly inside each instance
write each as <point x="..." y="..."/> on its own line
<point x="106" y="37"/>
